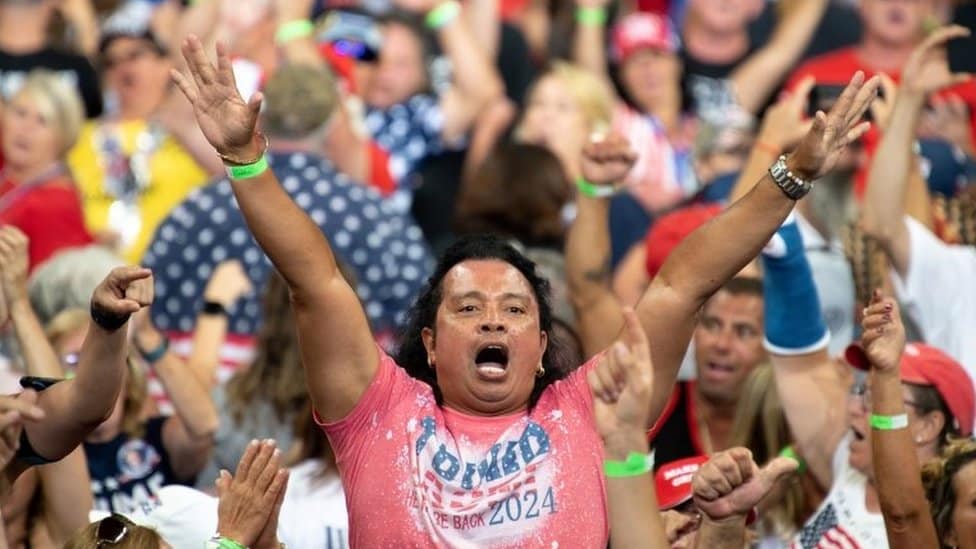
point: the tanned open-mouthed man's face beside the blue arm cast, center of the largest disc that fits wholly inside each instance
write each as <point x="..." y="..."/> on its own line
<point x="728" y="344"/>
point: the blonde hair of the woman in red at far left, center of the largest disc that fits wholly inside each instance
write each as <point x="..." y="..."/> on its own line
<point x="57" y="102"/>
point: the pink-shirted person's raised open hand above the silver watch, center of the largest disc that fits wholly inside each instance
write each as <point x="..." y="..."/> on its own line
<point x="830" y="133"/>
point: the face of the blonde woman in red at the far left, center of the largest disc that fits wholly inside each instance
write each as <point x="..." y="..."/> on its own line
<point x="30" y="140"/>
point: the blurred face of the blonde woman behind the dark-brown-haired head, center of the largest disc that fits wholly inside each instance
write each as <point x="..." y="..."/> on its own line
<point x="554" y="119"/>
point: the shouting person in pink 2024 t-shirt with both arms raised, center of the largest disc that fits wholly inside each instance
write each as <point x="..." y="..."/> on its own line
<point x="468" y="437"/>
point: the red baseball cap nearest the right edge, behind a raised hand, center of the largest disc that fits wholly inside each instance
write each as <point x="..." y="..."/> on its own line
<point x="927" y="366"/>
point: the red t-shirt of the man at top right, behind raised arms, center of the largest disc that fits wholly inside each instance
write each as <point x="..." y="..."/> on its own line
<point x="837" y="68"/>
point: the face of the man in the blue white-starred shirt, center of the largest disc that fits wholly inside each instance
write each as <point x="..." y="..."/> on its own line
<point x="399" y="72"/>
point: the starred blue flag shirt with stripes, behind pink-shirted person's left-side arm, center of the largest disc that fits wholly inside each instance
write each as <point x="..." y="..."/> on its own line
<point x="383" y="247"/>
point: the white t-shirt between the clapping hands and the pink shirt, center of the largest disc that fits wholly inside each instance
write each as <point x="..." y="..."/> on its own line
<point x="313" y="513"/>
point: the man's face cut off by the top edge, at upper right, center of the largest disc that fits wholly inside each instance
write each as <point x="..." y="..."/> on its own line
<point x="897" y="23"/>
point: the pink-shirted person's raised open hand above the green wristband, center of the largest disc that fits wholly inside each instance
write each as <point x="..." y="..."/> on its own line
<point x="225" y="119"/>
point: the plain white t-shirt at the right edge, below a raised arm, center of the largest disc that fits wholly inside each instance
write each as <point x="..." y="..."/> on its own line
<point x="939" y="292"/>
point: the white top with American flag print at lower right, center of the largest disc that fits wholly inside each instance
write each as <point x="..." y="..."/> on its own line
<point x="842" y="520"/>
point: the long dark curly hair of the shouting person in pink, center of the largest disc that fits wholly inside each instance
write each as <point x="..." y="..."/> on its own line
<point x="411" y="354"/>
